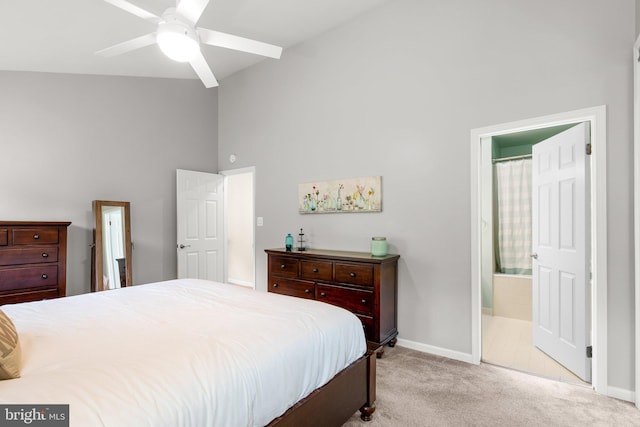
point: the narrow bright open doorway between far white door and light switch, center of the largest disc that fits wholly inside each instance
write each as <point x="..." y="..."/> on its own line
<point x="239" y="226"/>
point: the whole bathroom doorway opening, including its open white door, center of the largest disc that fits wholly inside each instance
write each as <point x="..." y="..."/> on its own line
<point x="517" y="317"/>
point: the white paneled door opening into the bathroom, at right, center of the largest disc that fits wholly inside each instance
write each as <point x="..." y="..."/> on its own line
<point x="561" y="249"/>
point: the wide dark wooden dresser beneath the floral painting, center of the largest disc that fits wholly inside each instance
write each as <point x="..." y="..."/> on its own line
<point x="364" y="284"/>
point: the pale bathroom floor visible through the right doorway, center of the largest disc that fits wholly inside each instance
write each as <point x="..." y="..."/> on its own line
<point x="508" y="342"/>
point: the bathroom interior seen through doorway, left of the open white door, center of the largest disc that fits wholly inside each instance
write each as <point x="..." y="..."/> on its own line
<point x="508" y="327"/>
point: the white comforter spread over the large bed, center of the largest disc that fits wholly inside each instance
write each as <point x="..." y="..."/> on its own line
<point x="178" y="353"/>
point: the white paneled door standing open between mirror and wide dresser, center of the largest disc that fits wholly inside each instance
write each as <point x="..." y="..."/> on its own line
<point x="200" y="240"/>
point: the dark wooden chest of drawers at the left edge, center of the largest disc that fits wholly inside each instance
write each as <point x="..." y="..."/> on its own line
<point x="33" y="260"/>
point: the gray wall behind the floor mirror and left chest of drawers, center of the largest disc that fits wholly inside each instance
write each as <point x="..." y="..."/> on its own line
<point x="67" y="140"/>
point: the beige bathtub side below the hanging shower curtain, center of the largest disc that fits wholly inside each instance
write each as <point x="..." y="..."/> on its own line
<point x="512" y="296"/>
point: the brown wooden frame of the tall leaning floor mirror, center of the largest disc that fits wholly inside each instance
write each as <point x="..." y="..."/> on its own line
<point x="97" y="270"/>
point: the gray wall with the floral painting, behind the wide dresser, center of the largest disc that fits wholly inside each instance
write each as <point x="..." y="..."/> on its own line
<point x="395" y="93"/>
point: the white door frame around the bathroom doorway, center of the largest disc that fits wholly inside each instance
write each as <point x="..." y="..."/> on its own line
<point x="598" y="193"/>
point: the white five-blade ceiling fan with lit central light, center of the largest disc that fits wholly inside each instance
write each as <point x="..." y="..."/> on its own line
<point x="180" y="39"/>
